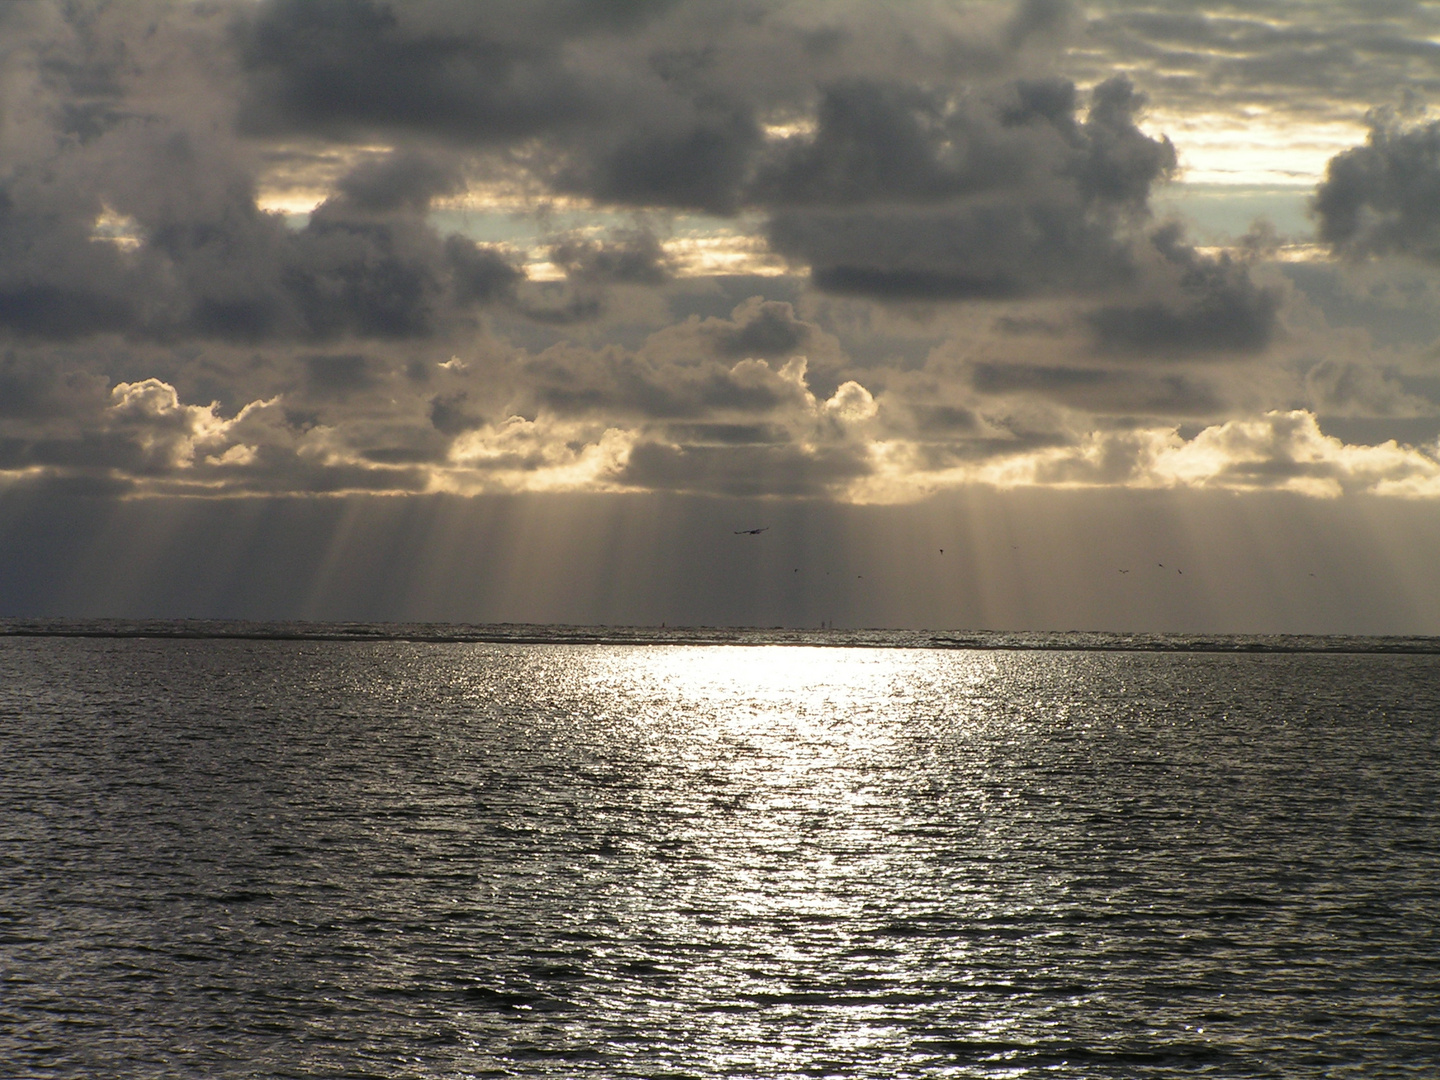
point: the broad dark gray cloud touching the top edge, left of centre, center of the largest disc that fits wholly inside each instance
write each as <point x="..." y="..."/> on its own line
<point x="633" y="104"/>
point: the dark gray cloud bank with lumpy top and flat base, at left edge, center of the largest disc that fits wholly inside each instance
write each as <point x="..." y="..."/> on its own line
<point x="217" y="267"/>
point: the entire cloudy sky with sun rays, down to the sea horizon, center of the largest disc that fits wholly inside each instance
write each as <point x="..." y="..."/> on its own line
<point x="529" y="310"/>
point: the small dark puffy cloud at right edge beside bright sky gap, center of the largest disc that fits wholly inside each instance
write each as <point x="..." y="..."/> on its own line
<point x="1385" y="198"/>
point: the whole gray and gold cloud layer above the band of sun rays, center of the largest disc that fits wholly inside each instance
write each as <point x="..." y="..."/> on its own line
<point x="960" y="199"/>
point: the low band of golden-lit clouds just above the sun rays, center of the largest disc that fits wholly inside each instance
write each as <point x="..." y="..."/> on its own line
<point x="764" y="434"/>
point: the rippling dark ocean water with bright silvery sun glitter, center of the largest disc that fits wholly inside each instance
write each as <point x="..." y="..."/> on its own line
<point x="282" y="856"/>
